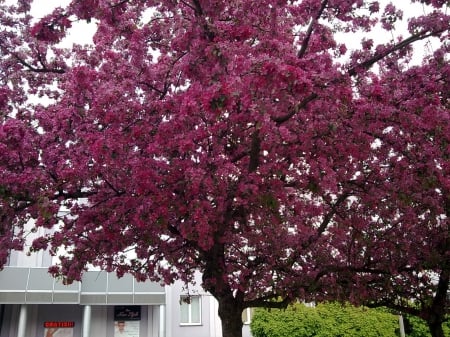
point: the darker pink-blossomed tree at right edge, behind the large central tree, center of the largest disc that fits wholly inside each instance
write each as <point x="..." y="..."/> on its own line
<point x="397" y="253"/>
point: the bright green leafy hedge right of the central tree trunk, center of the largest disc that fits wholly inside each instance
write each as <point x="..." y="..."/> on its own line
<point x="333" y="320"/>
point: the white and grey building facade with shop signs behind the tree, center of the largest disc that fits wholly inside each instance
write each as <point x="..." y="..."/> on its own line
<point x="33" y="304"/>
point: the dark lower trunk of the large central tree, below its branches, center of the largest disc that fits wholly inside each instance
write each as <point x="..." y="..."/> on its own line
<point x="230" y="313"/>
